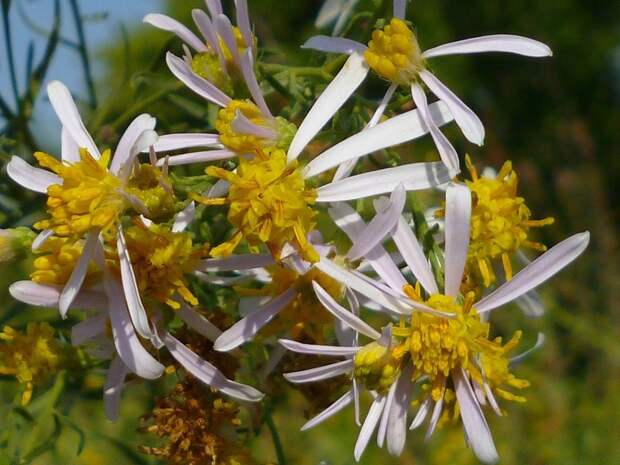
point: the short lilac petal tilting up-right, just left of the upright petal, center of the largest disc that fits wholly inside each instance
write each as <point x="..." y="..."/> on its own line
<point x="379" y="227"/>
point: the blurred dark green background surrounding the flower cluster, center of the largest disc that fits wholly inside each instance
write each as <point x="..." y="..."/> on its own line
<point x="558" y="119"/>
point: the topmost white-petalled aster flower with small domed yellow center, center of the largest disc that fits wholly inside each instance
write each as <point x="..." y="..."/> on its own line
<point x="394" y="54"/>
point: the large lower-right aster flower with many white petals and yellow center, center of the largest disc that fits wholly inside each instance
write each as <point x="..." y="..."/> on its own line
<point x="457" y="359"/>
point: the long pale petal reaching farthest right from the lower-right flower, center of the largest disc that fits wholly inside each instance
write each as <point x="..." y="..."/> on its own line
<point x="537" y="272"/>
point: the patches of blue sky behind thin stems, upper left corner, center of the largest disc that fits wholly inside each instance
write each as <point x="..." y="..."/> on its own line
<point x="66" y="65"/>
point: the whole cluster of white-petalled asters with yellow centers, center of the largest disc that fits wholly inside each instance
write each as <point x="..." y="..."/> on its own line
<point x="404" y="302"/>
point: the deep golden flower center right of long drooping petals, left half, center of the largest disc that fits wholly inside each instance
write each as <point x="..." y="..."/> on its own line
<point x="161" y="259"/>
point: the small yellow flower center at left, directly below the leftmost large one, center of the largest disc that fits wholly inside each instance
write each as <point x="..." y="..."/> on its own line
<point x="57" y="260"/>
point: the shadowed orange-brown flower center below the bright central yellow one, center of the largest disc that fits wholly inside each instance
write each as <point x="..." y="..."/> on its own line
<point x="304" y="318"/>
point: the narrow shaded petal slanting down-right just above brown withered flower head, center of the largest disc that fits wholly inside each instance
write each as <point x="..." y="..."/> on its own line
<point x="207" y="373"/>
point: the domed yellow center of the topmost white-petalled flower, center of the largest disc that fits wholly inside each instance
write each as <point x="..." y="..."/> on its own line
<point x="394" y="53"/>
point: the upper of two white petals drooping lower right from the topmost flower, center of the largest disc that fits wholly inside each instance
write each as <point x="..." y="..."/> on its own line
<point x="468" y="121"/>
